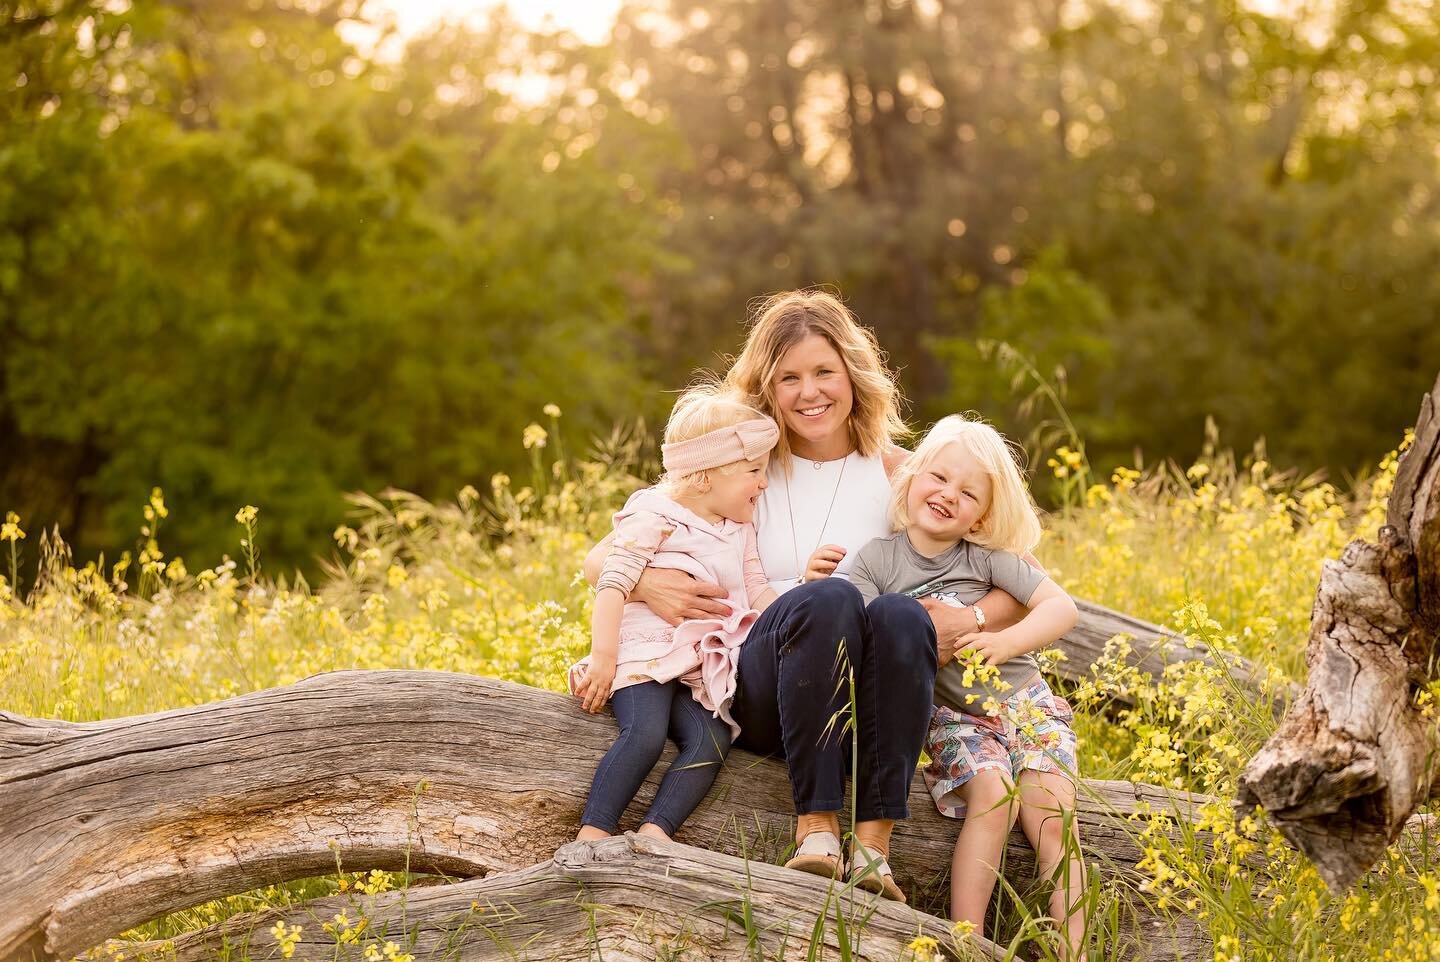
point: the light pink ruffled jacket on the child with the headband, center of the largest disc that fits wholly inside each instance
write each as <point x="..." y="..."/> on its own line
<point x="653" y="531"/>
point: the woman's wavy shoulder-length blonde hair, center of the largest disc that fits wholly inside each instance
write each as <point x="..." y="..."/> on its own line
<point x="783" y="322"/>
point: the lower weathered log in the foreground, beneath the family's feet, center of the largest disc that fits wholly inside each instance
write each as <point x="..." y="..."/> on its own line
<point x="620" y="899"/>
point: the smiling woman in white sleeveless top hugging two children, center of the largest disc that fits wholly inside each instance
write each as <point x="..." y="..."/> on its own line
<point x="820" y="375"/>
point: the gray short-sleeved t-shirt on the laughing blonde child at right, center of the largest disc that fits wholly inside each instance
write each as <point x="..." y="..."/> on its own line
<point x="964" y="574"/>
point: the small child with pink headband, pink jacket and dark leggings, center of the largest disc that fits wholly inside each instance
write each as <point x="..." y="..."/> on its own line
<point x="678" y="680"/>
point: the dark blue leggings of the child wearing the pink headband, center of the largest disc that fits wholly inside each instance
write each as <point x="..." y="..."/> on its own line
<point x="647" y="712"/>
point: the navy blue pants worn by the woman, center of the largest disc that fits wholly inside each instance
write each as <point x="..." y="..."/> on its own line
<point x="791" y="688"/>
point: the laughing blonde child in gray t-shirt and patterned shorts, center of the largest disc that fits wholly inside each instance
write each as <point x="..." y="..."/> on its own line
<point x="999" y="735"/>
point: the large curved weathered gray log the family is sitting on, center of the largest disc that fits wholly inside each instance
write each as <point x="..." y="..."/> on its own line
<point x="109" y="824"/>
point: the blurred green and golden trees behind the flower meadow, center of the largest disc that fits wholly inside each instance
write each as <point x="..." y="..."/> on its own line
<point x="248" y="261"/>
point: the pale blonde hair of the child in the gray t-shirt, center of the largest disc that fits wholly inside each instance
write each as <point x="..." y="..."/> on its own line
<point x="1013" y="521"/>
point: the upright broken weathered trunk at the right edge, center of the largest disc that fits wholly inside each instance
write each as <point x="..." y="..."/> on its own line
<point x="1353" y="758"/>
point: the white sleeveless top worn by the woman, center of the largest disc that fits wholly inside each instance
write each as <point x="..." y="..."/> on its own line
<point x="842" y="502"/>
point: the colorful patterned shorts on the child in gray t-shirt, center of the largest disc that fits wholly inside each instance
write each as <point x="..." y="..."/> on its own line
<point x="1032" y="734"/>
